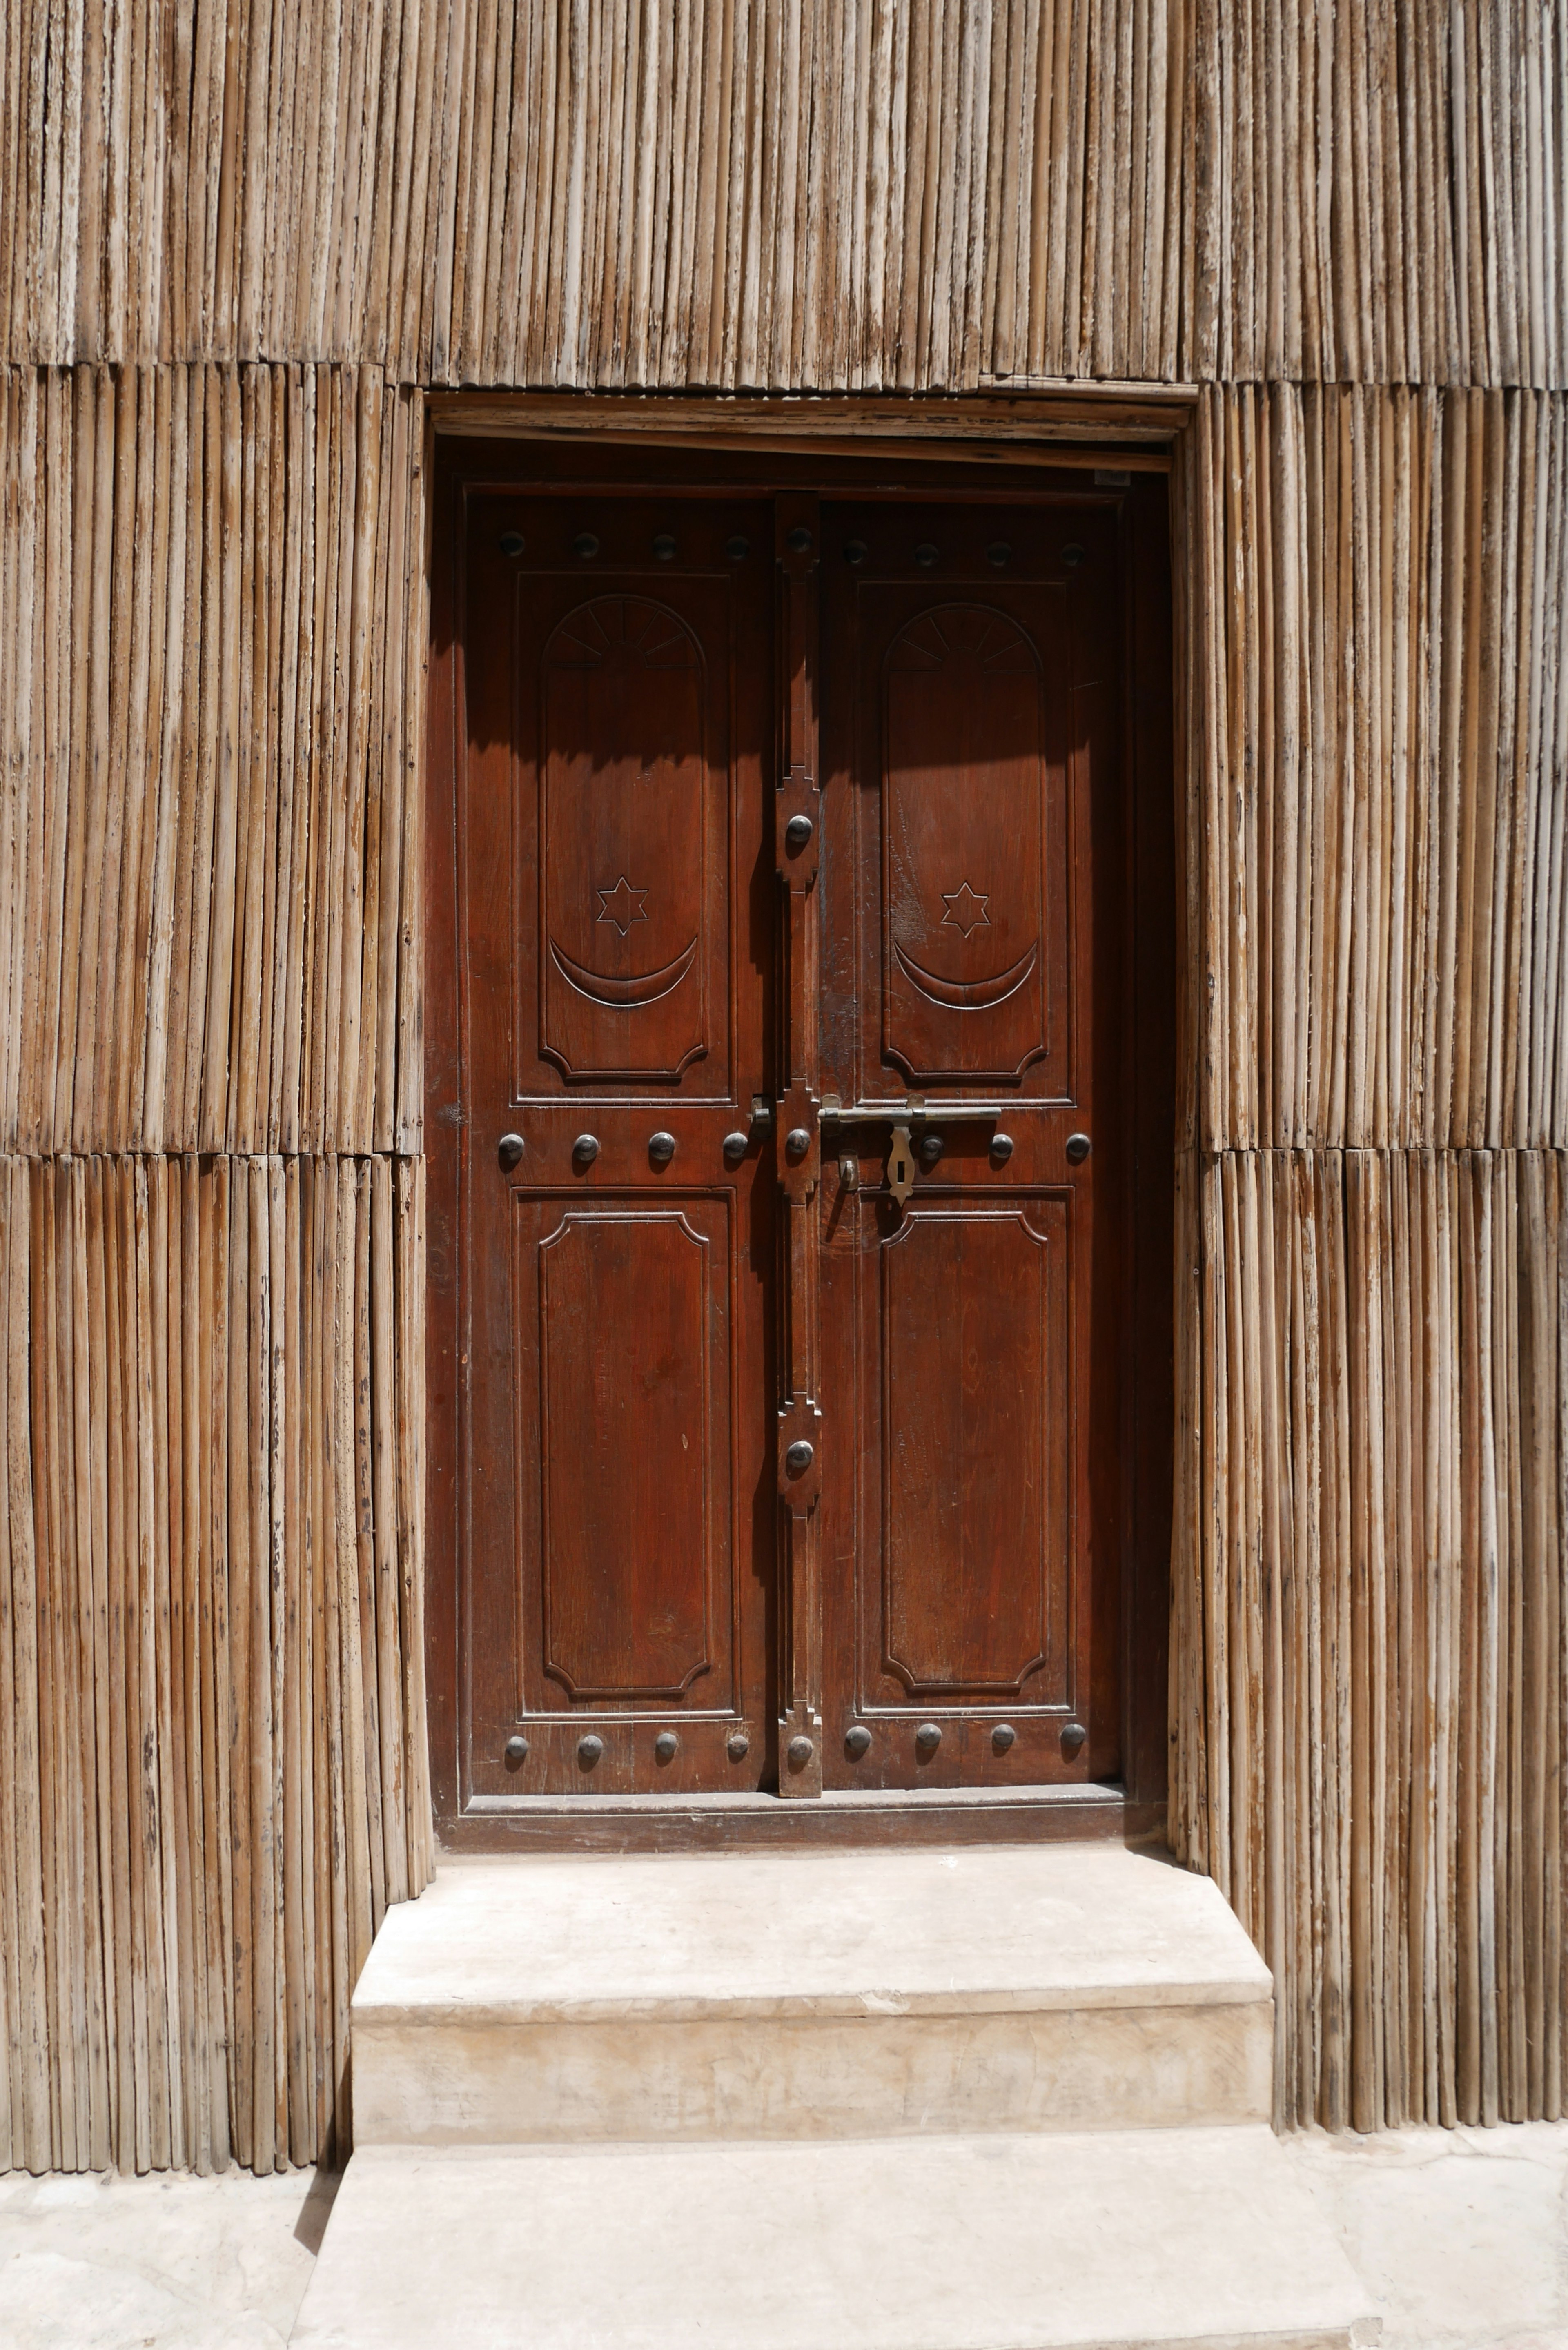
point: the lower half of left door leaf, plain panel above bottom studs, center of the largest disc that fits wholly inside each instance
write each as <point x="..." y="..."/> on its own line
<point x="634" y="1637"/>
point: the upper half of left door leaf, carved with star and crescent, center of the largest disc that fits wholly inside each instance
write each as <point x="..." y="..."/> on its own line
<point x="624" y="720"/>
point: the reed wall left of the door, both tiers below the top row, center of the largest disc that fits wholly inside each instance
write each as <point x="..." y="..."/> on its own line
<point x="213" y="1766"/>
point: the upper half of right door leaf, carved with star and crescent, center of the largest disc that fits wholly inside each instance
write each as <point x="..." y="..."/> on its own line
<point x="956" y="657"/>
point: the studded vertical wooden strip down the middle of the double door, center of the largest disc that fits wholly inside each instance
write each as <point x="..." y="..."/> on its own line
<point x="798" y="1153"/>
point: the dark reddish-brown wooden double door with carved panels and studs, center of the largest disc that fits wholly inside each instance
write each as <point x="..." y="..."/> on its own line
<point x="786" y="871"/>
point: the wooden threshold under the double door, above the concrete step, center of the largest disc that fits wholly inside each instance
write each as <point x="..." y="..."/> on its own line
<point x="996" y="1815"/>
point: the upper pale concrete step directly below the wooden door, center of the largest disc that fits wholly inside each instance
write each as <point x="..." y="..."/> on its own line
<point x="808" y="1996"/>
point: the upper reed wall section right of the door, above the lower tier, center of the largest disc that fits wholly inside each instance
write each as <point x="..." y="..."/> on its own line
<point x="1379" y="770"/>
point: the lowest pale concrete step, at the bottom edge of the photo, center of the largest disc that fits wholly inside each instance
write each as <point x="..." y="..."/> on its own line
<point x="942" y="2243"/>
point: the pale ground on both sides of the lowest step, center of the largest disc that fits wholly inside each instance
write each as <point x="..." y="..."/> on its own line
<point x="1461" y="2236"/>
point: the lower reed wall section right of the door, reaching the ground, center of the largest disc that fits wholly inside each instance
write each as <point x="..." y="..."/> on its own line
<point x="1369" y="1698"/>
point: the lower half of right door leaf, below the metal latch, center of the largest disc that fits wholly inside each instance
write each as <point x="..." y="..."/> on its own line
<point x="951" y="1604"/>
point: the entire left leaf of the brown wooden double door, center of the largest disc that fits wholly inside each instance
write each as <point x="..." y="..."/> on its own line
<point x="619" y="1233"/>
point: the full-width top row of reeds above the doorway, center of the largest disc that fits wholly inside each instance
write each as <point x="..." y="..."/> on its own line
<point x="855" y="194"/>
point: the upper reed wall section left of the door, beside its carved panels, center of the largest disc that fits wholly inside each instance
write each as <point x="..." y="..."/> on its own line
<point x="213" y="640"/>
